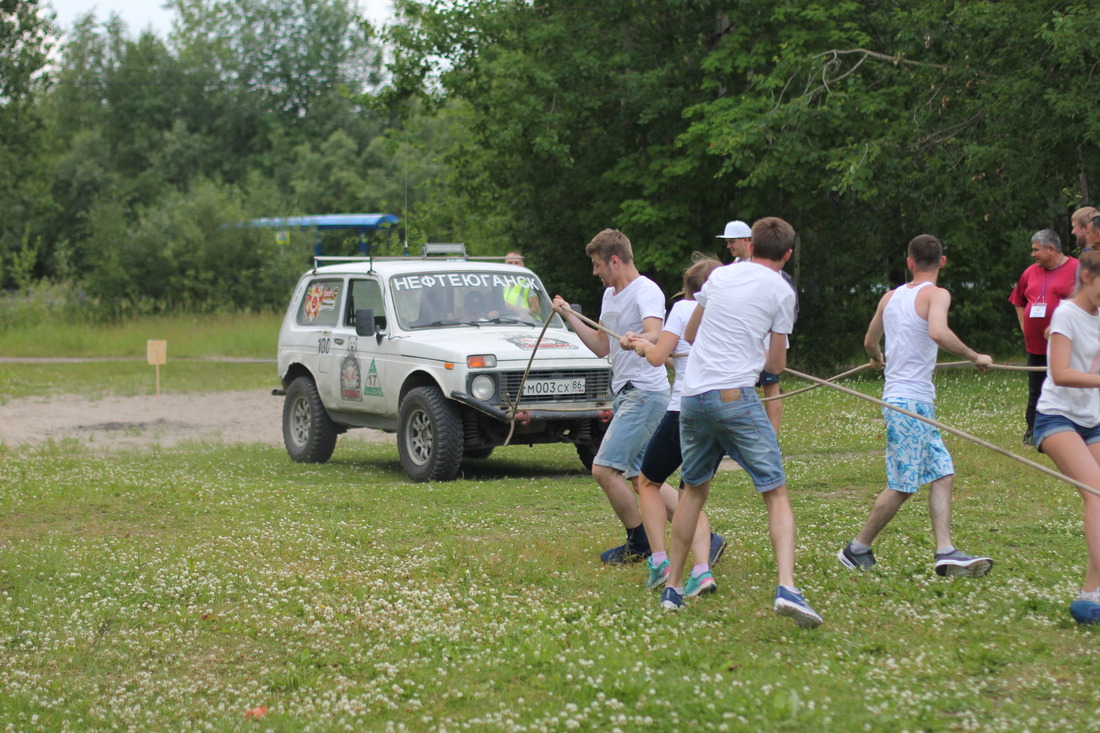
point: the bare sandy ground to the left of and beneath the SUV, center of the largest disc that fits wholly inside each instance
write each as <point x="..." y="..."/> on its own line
<point x="251" y="417"/>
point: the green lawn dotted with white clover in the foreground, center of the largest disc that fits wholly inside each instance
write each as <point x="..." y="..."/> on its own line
<point x="178" y="589"/>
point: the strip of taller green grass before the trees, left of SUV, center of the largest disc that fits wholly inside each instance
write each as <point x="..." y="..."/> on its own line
<point x="190" y="336"/>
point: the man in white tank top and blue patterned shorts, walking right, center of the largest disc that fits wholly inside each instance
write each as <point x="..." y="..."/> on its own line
<point x="914" y="319"/>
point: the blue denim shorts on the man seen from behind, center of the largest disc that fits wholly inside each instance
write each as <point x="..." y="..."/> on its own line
<point x="740" y="429"/>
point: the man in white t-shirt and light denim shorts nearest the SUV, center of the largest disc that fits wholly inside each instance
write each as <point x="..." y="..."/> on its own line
<point x="633" y="308"/>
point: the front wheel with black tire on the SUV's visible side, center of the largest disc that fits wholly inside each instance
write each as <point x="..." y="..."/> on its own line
<point x="430" y="435"/>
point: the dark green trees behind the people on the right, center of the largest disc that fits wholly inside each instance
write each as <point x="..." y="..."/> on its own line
<point x="862" y="125"/>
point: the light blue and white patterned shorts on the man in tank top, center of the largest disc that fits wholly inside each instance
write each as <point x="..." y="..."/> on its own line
<point x="916" y="451"/>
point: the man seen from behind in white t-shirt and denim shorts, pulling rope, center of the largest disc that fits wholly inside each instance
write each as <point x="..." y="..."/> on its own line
<point x="721" y="413"/>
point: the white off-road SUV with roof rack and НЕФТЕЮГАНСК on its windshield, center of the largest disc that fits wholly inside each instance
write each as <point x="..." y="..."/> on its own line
<point x="436" y="352"/>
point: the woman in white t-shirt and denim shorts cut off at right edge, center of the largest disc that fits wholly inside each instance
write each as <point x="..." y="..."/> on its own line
<point x="1068" y="419"/>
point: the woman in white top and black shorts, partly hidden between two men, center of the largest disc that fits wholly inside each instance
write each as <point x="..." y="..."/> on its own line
<point x="663" y="455"/>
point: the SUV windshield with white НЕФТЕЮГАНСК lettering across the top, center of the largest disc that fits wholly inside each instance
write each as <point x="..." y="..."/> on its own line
<point x="471" y="299"/>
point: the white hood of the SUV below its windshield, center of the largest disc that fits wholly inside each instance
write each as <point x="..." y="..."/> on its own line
<point x="508" y="345"/>
